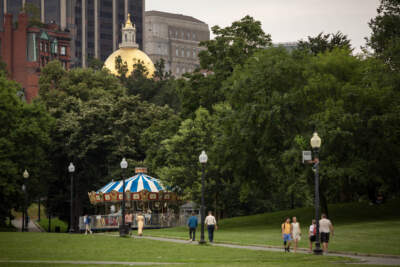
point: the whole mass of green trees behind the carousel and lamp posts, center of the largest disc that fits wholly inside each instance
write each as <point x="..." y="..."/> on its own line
<point x="251" y="106"/>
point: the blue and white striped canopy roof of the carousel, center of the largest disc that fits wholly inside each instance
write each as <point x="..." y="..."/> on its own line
<point x="136" y="183"/>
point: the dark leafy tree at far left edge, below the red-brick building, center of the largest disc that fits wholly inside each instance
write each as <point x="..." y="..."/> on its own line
<point x="24" y="141"/>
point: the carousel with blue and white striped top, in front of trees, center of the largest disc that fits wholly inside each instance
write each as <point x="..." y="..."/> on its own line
<point x="144" y="195"/>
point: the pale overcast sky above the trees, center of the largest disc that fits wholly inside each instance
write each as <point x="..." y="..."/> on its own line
<point x="285" y="20"/>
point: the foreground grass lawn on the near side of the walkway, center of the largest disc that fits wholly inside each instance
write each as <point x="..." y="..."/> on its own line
<point x="48" y="246"/>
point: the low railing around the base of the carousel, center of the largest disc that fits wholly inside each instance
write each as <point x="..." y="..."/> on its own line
<point x="111" y="222"/>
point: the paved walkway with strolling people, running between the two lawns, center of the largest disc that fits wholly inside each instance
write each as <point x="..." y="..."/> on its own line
<point x="384" y="260"/>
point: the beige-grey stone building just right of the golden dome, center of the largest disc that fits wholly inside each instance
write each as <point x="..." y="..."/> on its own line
<point x="175" y="38"/>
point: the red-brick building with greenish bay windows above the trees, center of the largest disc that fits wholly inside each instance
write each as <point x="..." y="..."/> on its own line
<point x="27" y="48"/>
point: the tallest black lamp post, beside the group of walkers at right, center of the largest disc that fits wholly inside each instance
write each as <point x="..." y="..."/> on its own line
<point x="316" y="144"/>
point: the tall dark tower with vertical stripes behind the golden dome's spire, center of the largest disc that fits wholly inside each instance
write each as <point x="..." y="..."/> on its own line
<point x="94" y="24"/>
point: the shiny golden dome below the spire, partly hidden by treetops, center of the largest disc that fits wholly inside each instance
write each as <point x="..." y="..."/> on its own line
<point x="131" y="56"/>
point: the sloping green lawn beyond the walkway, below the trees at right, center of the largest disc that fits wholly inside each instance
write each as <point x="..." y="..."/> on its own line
<point x="359" y="227"/>
